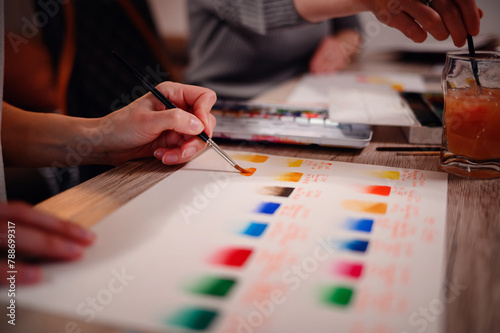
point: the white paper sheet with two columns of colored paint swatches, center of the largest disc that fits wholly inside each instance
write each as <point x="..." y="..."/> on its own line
<point x="151" y="253"/>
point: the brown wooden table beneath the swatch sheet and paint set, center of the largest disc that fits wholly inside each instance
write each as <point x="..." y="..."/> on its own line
<point x="473" y="217"/>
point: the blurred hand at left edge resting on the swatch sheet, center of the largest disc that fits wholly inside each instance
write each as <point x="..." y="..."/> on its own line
<point x="27" y="234"/>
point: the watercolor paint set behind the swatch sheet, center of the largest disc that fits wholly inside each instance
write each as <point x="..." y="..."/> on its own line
<point x="286" y="123"/>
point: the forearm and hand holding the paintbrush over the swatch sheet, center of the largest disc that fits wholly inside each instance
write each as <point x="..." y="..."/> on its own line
<point x="142" y="129"/>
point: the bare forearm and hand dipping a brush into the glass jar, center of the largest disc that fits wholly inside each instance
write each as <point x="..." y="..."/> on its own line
<point x="412" y="17"/>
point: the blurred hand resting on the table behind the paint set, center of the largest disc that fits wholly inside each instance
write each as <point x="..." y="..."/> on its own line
<point x="335" y="52"/>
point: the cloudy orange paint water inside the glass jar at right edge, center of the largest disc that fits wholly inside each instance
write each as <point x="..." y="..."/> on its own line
<point x="472" y="118"/>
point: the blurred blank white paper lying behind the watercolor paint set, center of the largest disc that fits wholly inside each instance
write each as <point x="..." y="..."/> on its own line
<point x="360" y="98"/>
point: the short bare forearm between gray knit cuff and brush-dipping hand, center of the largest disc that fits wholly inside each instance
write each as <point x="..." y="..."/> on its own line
<point x="320" y="10"/>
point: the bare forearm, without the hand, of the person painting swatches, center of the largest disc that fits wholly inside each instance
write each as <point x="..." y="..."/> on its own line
<point x="35" y="139"/>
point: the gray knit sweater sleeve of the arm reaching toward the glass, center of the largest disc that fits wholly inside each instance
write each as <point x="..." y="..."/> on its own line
<point x="259" y="16"/>
